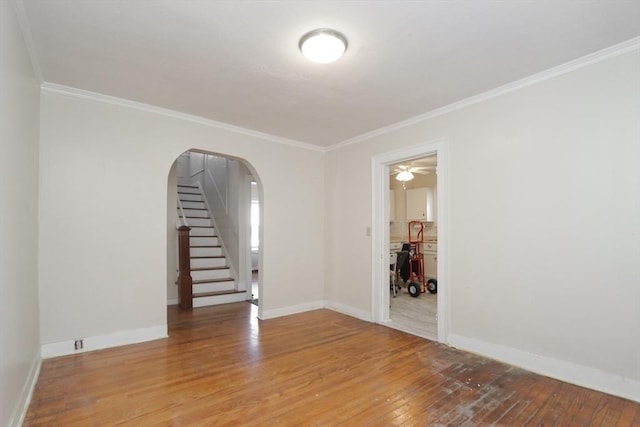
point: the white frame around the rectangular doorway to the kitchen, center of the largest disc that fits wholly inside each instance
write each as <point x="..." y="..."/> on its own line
<point x="380" y="230"/>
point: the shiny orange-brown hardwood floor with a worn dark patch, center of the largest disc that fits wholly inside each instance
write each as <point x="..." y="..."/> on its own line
<point x="221" y="366"/>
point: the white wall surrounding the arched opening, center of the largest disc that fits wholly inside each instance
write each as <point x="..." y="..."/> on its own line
<point x="103" y="242"/>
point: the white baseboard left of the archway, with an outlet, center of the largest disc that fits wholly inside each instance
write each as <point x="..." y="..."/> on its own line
<point x="98" y="342"/>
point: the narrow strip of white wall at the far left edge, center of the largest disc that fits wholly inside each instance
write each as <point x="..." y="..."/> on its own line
<point x="19" y="117"/>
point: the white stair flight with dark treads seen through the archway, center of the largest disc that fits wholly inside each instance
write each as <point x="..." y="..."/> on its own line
<point x="212" y="279"/>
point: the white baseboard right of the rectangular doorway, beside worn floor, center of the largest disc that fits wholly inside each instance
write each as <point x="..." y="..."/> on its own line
<point x="562" y="370"/>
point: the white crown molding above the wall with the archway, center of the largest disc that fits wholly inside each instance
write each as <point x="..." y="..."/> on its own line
<point x="121" y="102"/>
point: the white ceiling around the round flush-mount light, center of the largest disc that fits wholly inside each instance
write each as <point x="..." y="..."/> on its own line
<point x="238" y="61"/>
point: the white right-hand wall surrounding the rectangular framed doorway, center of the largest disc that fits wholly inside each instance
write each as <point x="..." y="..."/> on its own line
<point x="544" y="221"/>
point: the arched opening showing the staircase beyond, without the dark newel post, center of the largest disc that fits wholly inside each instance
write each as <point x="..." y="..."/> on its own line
<point x="212" y="194"/>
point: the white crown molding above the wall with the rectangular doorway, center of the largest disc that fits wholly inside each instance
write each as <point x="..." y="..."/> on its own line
<point x="592" y="58"/>
